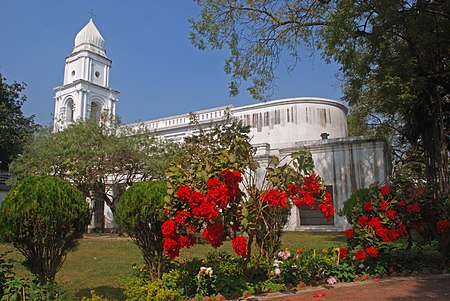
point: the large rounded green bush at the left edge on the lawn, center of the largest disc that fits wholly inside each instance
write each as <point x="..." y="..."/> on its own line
<point x="43" y="218"/>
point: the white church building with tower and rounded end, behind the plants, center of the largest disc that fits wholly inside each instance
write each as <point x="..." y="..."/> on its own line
<point x="277" y="127"/>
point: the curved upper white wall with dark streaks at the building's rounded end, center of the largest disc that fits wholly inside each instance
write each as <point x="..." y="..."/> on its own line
<point x="287" y="121"/>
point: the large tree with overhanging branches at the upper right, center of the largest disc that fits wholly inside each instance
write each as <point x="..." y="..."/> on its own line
<point x="394" y="56"/>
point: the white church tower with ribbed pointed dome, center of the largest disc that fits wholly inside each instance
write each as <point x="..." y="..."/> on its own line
<point x="85" y="92"/>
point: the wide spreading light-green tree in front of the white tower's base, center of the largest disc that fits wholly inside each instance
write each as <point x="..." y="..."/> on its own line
<point x="102" y="163"/>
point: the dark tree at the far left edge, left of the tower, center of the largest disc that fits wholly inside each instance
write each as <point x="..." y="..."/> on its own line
<point x="15" y="128"/>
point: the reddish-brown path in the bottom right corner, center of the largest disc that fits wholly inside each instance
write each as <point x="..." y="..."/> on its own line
<point x="426" y="287"/>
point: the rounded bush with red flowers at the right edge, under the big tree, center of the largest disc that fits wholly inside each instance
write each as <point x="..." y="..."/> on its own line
<point x="384" y="217"/>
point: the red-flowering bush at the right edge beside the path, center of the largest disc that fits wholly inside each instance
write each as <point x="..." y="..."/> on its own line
<point x="394" y="226"/>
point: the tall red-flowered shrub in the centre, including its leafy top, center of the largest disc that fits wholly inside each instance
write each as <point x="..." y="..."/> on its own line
<point x="217" y="190"/>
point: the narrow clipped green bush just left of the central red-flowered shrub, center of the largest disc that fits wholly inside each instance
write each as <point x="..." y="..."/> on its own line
<point x="140" y="213"/>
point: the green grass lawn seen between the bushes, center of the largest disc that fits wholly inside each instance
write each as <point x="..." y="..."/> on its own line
<point x="104" y="264"/>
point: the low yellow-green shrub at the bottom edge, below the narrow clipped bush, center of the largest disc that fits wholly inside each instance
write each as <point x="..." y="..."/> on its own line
<point x="141" y="290"/>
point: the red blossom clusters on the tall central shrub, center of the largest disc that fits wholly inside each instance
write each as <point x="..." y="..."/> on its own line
<point x="223" y="210"/>
